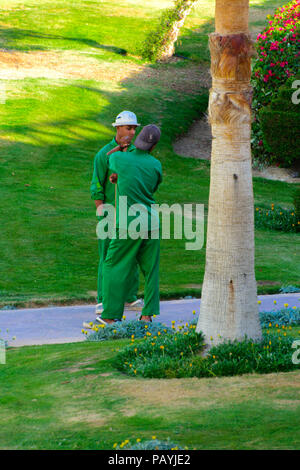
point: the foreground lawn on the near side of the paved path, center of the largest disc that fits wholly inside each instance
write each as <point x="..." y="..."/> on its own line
<point x="70" y="397"/>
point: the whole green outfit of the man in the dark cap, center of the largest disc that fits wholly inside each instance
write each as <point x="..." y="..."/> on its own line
<point x="139" y="175"/>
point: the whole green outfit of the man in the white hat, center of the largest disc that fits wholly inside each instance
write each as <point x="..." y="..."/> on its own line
<point x="103" y="189"/>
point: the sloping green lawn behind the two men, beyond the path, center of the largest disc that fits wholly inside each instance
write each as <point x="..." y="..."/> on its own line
<point x="53" y="125"/>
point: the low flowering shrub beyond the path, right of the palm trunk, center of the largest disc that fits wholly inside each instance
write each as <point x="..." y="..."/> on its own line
<point x="276" y="219"/>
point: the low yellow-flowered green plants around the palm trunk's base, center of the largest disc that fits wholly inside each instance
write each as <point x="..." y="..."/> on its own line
<point x="179" y="356"/>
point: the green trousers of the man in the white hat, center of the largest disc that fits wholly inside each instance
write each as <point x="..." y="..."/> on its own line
<point x="133" y="282"/>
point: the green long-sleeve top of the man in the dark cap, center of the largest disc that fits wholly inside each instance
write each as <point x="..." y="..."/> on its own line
<point x="139" y="175"/>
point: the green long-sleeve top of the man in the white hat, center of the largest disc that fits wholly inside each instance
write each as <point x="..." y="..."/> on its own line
<point x="101" y="188"/>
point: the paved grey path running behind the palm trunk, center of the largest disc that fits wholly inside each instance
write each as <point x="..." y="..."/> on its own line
<point x="48" y="325"/>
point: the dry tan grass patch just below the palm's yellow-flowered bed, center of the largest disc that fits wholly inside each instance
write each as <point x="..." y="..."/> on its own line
<point x="208" y="392"/>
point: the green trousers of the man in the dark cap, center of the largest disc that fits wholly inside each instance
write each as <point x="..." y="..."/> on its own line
<point x="119" y="265"/>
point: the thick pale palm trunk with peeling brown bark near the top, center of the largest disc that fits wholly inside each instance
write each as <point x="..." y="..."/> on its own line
<point x="229" y="295"/>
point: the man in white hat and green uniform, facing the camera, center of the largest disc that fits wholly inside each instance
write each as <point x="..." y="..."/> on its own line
<point x="103" y="192"/>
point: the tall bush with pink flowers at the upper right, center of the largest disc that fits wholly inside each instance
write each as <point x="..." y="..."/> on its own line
<point x="278" y="58"/>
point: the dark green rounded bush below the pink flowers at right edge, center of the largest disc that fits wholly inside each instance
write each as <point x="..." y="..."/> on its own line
<point x="280" y="126"/>
